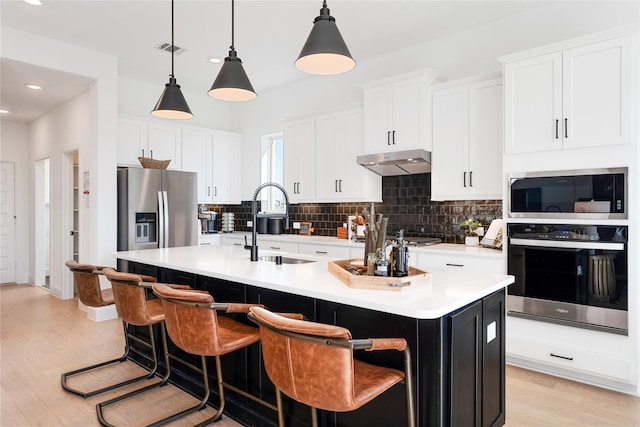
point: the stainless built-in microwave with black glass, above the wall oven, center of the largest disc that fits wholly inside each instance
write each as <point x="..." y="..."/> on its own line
<point x="578" y="194"/>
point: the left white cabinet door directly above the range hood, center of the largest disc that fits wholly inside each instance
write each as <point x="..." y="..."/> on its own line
<point x="378" y="119"/>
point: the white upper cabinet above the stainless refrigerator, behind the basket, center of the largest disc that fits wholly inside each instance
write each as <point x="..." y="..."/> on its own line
<point x="142" y="138"/>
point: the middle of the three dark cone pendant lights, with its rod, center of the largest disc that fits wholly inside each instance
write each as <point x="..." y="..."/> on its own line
<point x="232" y="83"/>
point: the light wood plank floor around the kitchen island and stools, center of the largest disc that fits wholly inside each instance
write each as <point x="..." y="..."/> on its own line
<point x="42" y="337"/>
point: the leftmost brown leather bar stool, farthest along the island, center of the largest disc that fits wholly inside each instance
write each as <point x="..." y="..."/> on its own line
<point x="87" y="283"/>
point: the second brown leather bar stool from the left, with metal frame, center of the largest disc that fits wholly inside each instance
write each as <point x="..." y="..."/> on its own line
<point x="130" y="294"/>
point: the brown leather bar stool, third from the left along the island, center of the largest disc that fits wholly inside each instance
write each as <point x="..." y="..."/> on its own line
<point x="195" y="327"/>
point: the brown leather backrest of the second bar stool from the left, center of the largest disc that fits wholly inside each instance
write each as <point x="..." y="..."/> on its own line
<point x="130" y="297"/>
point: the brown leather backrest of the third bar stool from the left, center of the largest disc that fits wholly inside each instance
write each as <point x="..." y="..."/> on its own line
<point x="191" y="322"/>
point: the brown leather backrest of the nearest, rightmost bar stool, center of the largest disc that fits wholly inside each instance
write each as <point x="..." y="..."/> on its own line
<point x="316" y="372"/>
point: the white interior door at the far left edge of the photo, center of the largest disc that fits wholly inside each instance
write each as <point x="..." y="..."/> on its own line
<point x="7" y="223"/>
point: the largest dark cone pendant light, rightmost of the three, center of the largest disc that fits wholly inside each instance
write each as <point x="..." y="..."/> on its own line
<point x="325" y="52"/>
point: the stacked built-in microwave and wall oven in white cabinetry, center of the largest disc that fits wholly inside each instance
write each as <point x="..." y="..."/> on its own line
<point x="577" y="273"/>
